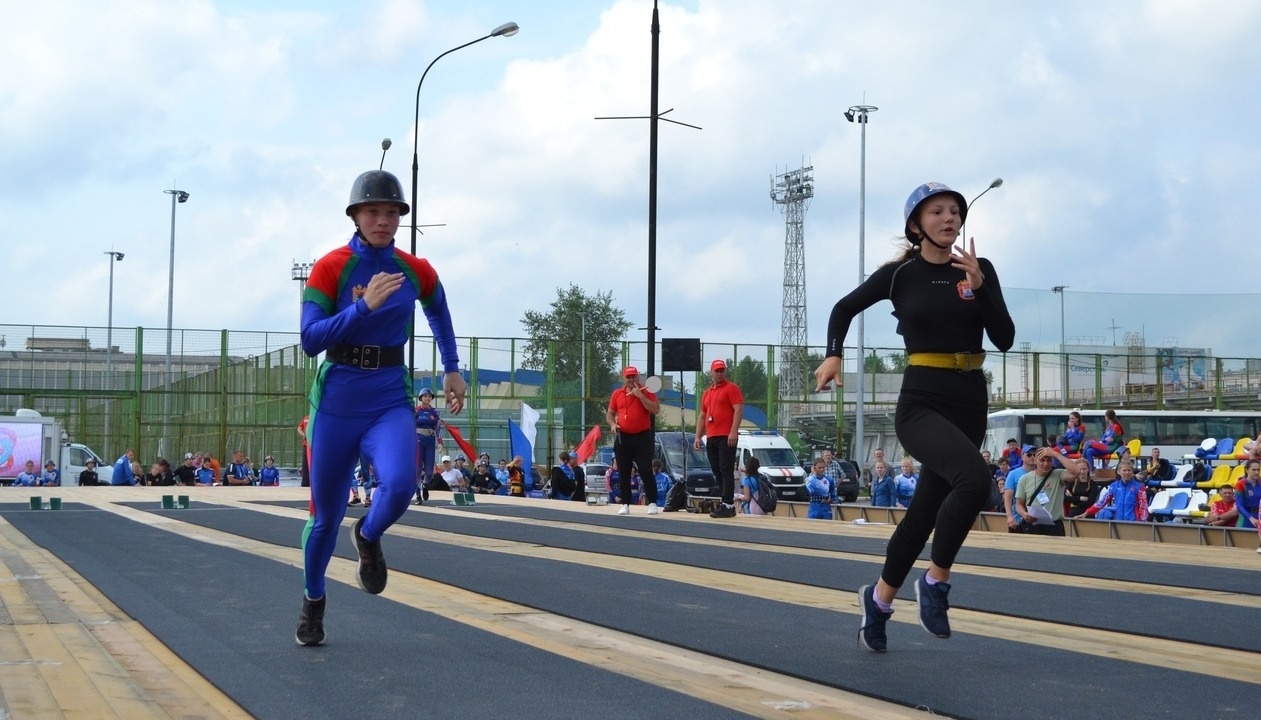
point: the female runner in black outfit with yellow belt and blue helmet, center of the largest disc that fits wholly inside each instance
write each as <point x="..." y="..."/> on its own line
<point x="945" y="299"/>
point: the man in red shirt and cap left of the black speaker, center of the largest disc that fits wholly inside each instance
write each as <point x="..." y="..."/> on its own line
<point x="630" y="417"/>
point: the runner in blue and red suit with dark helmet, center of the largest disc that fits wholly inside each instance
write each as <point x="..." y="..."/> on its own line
<point x="357" y="310"/>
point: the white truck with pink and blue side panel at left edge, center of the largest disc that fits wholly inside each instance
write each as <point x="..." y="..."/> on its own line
<point x="28" y="436"/>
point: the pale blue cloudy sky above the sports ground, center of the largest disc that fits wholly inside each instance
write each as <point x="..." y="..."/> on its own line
<point x="1125" y="134"/>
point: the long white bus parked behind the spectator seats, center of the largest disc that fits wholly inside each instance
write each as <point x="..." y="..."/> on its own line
<point x="1176" y="432"/>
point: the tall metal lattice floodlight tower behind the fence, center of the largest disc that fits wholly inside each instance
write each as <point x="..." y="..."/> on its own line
<point x="793" y="192"/>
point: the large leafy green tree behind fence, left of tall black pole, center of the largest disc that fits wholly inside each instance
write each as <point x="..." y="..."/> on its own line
<point x="573" y="316"/>
